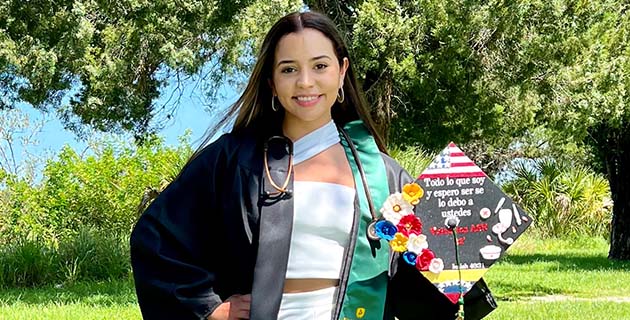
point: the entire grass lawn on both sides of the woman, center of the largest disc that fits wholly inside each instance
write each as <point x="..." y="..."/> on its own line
<point x="539" y="279"/>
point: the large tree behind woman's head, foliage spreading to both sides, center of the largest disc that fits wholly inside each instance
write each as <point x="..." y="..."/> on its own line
<point x="111" y="60"/>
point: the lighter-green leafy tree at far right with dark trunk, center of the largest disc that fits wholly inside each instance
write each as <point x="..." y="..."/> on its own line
<point x="566" y="64"/>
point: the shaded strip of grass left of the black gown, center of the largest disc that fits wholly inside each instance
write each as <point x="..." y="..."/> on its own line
<point x="102" y="293"/>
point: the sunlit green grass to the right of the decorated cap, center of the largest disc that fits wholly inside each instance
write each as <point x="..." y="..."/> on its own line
<point x="560" y="279"/>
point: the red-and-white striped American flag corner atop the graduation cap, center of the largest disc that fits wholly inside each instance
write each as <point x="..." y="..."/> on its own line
<point x="452" y="162"/>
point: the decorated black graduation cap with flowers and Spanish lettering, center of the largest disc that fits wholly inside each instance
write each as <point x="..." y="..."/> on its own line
<point x="463" y="224"/>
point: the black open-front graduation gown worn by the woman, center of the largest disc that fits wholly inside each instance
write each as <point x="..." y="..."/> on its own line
<point x="198" y="242"/>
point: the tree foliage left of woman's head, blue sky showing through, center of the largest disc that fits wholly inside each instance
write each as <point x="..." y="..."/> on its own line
<point x="109" y="60"/>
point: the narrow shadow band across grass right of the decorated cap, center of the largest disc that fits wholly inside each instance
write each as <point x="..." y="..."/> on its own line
<point x="569" y="262"/>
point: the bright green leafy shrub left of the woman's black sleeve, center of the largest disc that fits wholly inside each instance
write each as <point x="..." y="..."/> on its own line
<point x="74" y="225"/>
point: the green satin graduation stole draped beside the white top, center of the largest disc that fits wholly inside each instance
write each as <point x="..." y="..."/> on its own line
<point x="367" y="281"/>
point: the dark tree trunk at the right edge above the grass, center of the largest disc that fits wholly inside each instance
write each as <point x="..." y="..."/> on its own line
<point x="617" y="155"/>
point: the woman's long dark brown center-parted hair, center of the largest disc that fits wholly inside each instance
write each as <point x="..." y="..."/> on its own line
<point x="253" y="108"/>
